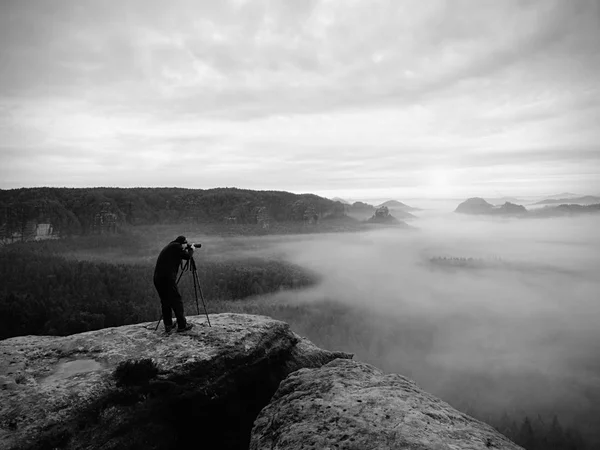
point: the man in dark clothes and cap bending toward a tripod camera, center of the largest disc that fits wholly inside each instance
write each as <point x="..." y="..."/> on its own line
<point x="165" y="281"/>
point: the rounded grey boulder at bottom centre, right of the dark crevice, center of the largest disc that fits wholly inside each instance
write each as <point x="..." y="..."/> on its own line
<point x="352" y="405"/>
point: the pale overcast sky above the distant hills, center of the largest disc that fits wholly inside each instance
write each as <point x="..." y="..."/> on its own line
<point x="354" y="99"/>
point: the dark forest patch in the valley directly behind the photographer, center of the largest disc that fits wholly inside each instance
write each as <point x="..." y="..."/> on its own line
<point x="45" y="293"/>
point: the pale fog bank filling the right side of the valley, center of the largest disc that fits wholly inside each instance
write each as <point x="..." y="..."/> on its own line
<point x="514" y="330"/>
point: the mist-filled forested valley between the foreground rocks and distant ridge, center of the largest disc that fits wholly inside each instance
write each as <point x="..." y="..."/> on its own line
<point x="497" y="316"/>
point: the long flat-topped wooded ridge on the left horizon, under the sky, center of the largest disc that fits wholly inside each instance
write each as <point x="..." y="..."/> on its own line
<point x="73" y="211"/>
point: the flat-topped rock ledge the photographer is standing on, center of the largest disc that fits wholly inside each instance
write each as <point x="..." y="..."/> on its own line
<point x="134" y="387"/>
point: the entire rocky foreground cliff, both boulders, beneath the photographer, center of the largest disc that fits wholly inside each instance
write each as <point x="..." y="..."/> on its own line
<point x="134" y="387"/>
